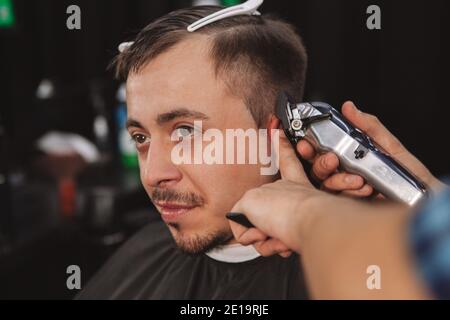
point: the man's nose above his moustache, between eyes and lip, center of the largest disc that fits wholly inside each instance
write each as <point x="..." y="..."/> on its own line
<point x="158" y="169"/>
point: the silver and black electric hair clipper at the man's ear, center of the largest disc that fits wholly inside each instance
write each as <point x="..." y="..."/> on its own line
<point x="327" y="130"/>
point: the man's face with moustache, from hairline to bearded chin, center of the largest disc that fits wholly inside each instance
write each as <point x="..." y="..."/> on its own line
<point x="165" y="97"/>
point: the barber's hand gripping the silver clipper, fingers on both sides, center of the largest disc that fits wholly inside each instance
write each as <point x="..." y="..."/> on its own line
<point x="325" y="166"/>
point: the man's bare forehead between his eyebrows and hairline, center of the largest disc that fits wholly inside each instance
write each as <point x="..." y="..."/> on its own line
<point x="183" y="76"/>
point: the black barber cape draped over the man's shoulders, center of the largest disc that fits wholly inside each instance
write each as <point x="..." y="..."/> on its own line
<point x="149" y="266"/>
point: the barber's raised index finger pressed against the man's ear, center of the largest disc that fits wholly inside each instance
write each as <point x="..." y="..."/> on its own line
<point x="290" y="166"/>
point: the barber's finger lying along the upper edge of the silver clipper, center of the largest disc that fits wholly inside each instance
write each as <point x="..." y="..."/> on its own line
<point x="373" y="128"/>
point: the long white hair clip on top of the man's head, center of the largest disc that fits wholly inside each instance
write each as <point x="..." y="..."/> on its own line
<point x="249" y="7"/>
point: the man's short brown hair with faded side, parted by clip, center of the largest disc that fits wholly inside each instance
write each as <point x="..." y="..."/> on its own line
<point x="255" y="56"/>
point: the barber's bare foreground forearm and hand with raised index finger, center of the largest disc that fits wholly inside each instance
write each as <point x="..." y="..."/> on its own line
<point x="337" y="237"/>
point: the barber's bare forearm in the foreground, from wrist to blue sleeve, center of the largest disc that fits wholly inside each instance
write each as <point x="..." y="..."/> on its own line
<point x="341" y="238"/>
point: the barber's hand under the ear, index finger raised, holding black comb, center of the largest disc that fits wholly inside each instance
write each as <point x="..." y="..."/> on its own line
<point x="277" y="209"/>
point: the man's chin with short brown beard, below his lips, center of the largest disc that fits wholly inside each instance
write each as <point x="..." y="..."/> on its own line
<point x="195" y="243"/>
